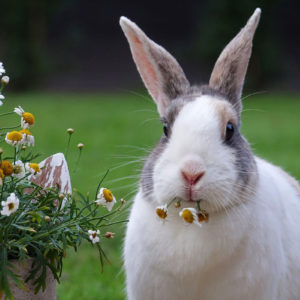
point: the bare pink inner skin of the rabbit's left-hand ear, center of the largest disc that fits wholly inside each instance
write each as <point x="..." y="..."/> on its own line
<point x="145" y="66"/>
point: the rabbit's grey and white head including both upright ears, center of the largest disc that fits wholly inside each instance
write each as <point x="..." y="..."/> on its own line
<point x="201" y="154"/>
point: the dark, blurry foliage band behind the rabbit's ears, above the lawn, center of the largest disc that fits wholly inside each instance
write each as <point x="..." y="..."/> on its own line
<point x="78" y="45"/>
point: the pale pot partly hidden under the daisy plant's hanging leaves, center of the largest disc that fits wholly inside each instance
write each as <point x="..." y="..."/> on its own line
<point x="22" y="269"/>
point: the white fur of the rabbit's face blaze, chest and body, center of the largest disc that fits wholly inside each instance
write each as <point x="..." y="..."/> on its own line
<point x="248" y="250"/>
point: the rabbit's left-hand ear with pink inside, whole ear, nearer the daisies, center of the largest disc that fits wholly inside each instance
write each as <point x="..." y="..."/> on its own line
<point x="162" y="75"/>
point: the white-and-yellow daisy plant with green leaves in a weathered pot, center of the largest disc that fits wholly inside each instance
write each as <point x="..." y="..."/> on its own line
<point x="39" y="217"/>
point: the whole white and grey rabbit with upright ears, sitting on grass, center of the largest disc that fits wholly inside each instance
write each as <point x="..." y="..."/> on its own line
<point x="250" y="247"/>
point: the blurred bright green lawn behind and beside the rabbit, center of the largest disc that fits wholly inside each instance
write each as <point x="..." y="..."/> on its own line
<point x="117" y="129"/>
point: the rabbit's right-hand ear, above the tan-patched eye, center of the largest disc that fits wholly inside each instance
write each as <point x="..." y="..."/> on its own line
<point x="230" y="69"/>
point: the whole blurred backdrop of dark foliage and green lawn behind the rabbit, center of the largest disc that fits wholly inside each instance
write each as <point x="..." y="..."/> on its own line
<point x="70" y="65"/>
